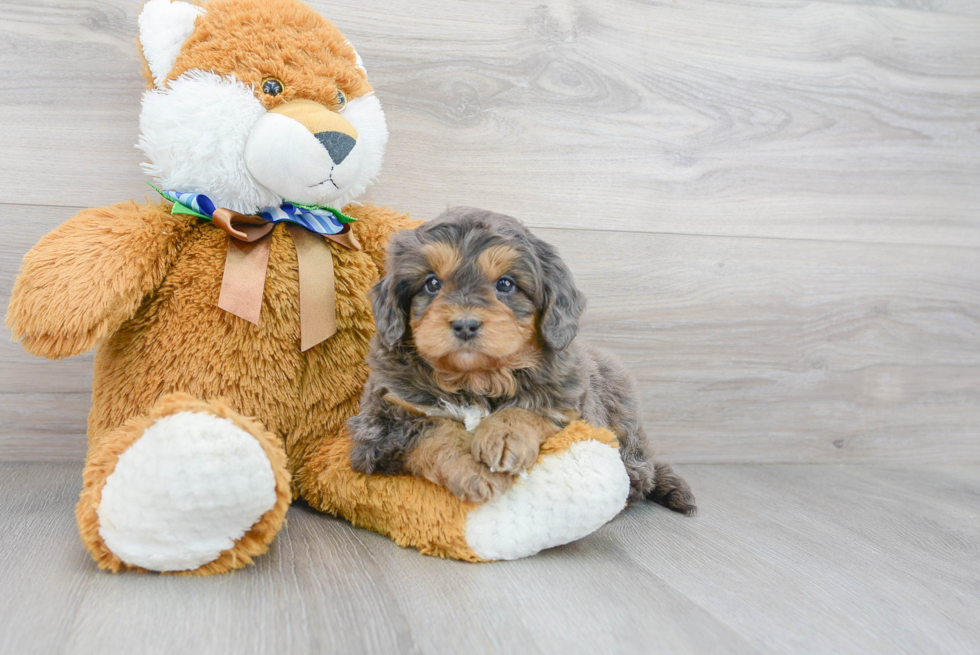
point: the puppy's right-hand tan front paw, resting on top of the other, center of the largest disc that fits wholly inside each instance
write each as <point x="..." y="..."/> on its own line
<point x="509" y="440"/>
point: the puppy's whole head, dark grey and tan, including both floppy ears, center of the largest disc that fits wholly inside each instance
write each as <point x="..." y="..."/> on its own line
<point x="476" y="291"/>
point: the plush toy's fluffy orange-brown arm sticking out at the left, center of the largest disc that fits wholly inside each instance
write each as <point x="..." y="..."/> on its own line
<point x="83" y="280"/>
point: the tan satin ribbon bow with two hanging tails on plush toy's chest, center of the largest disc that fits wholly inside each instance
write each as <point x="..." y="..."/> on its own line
<point x="247" y="261"/>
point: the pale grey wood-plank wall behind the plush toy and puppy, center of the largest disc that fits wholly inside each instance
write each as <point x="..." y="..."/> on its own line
<point x="773" y="205"/>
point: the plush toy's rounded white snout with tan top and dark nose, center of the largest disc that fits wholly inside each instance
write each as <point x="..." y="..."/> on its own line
<point x="305" y="153"/>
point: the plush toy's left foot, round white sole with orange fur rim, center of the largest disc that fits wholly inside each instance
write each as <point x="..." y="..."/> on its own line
<point x="192" y="487"/>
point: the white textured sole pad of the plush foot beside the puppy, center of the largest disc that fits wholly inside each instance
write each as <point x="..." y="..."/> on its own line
<point x="564" y="497"/>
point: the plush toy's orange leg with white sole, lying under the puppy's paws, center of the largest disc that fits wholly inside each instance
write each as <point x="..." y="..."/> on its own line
<point x="577" y="484"/>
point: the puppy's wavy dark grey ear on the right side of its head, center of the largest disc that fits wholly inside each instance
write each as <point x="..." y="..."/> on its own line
<point x="562" y="302"/>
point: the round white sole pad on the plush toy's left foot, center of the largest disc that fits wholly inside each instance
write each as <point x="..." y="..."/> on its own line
<point x="184" y="492"/>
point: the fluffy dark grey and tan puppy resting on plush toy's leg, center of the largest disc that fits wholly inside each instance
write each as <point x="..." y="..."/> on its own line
<point x="475" y="364"/>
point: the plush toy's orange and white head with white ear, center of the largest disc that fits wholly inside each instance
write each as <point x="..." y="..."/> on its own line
<point x="255" y="103"/>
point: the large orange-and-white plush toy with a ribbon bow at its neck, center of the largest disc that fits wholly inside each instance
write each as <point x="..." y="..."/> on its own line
<point x="232" y="318"/>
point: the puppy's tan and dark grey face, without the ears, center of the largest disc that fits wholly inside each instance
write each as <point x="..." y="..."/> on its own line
<point x="473" y="310"/>
